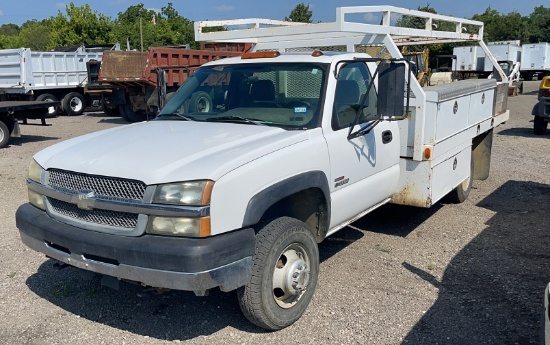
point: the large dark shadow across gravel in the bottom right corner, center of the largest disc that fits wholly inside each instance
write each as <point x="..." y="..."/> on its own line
<point x="492" y="290"/>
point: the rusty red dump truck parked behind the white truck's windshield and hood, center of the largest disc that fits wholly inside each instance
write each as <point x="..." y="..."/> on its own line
<point x="136" y="84"/>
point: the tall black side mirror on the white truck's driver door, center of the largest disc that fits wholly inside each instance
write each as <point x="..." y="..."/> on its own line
<point x="391" y="89"/>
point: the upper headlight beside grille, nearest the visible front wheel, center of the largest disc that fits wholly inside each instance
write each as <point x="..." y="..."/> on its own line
<point x="184" y="193"/>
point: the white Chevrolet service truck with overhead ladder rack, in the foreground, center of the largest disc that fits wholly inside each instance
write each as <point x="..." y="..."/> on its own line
<point x="257" y="159"/>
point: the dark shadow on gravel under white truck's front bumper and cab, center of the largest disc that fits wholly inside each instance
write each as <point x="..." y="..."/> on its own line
<point x="168" y="316"/>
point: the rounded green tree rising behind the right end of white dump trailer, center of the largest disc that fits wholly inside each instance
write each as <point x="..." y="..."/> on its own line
<point x="80" y="25"/>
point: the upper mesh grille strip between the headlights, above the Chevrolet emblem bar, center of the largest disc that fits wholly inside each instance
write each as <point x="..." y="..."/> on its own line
<point x="103" y="187"/>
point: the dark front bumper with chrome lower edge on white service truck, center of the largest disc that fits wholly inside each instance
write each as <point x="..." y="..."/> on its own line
<point x="190" y="264"/>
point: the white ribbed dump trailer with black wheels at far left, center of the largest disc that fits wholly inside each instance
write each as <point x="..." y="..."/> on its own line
<point x="46" y="76"/>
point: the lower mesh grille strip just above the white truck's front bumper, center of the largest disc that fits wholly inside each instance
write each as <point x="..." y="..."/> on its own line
<point x="111" y="218"/>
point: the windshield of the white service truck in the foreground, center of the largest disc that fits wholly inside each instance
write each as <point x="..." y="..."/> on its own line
<point x="274" y="94"/>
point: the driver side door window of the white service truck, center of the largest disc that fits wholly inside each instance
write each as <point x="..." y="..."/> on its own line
<point x="353" y="96"/>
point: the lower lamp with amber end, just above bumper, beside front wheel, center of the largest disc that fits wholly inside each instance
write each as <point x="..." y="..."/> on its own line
<point x="173" y="226"/>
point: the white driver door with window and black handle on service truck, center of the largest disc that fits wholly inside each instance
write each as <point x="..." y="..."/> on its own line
<point x="365" y="169"/>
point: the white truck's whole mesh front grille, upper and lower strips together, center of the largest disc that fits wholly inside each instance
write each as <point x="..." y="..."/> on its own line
<point x="103" y="187"/>
